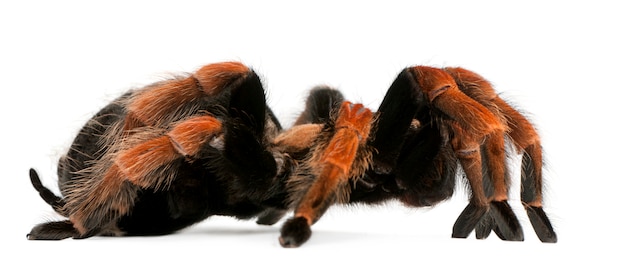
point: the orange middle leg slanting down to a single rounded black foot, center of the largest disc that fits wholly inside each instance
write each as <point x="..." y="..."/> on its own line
<point x="333" y="165"/>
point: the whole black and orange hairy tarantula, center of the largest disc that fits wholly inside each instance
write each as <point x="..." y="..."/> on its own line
<point x="171" y="154"/>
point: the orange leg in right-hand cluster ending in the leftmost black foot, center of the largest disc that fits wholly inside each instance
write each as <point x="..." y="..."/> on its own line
<point x="468" y="123"/>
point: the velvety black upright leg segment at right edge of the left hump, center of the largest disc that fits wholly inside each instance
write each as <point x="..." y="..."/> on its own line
<point x="248" y="132"/>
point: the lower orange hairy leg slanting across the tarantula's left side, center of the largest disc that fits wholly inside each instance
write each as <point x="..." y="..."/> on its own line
<point x="137" y="165"/>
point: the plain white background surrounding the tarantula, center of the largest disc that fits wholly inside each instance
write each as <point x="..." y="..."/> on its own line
<point x="561" y="61"/>
